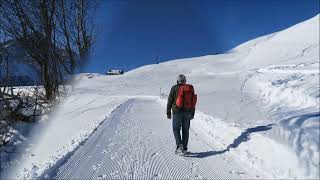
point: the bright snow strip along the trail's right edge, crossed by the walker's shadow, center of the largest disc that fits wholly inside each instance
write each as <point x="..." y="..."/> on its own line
<point x="247" y="146"/>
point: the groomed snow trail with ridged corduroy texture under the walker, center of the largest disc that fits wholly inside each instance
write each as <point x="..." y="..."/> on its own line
<point x="137" y="142"/>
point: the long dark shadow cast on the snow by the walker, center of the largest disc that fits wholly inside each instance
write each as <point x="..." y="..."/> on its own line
<point x="244" y="137"/>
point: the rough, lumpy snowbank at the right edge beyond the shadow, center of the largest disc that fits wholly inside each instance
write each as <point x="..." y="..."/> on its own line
<point x="291" y="94"/>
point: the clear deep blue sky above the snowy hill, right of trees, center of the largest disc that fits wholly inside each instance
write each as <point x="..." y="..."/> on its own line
<point x="133" y="33"/>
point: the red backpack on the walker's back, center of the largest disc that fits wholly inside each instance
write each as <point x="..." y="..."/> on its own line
<point x="186" y="98"/>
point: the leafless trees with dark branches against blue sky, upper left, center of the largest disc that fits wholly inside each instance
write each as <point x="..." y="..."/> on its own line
<point x="55" y="34"/>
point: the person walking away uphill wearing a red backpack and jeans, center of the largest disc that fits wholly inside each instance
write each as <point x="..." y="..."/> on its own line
<point x="181" y="101"/>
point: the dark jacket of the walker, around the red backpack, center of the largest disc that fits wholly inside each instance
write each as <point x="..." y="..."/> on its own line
<point x="172" y="101"/>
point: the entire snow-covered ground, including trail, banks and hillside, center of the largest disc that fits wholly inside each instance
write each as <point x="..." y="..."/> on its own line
<point x="257" y="117"/>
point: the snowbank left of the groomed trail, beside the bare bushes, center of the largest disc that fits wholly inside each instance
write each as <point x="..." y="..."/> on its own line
<point x="73" y="122"/>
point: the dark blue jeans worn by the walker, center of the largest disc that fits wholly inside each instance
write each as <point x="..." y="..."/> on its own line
<point x="181" y="120"/>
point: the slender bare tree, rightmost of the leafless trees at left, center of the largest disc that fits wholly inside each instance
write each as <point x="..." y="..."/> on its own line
<point x="77" y="27"/>
